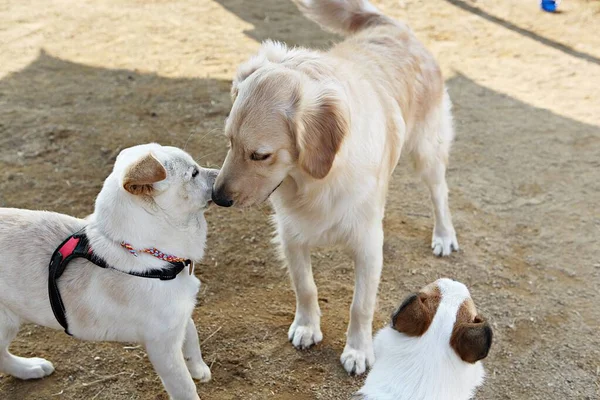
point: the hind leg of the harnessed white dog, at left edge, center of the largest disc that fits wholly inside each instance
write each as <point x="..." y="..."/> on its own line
<point x="19" y="367"/>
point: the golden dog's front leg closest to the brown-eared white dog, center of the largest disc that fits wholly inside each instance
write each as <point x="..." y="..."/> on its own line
<point x="358" y="354"/>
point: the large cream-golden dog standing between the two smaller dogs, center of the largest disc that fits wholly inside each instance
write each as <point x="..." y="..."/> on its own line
<point x="320" y="133"/>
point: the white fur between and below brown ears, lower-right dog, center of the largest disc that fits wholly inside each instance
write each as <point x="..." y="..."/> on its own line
<point x="424" y="367"/>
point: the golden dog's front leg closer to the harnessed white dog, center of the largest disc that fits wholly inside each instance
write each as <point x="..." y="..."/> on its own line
<point x="305" y="331"/>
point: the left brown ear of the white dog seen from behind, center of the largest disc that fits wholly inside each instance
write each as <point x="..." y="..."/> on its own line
<point x="414" y="315"/>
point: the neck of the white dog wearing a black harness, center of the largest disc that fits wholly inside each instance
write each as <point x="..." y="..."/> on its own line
<point x="117" y="219"/>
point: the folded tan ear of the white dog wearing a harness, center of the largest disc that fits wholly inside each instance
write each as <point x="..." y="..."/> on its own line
<point x="140" y="176"/>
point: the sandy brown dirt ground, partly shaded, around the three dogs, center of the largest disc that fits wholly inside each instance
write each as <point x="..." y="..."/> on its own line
<point x="81" y="80"/>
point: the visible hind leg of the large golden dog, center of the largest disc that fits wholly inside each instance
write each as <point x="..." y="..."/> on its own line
<point x="430" y="159"/>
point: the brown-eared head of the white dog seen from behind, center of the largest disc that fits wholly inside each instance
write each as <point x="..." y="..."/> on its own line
<point x="443" y="302"/>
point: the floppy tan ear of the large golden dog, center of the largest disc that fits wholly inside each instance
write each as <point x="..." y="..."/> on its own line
<point x="322" y="127"/>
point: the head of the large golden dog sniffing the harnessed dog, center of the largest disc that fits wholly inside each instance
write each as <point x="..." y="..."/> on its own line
<point x="282" y="121"/>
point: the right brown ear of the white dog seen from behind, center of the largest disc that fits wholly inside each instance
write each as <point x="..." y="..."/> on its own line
<point x="472" y="340"/>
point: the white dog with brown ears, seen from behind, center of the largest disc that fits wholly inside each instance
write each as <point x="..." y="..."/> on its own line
<point x="432" y="348"/>
